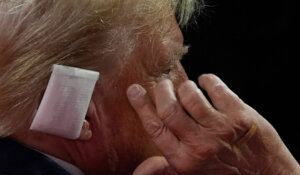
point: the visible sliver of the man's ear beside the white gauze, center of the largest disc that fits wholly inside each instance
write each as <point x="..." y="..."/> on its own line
<point x="86" y="131"/>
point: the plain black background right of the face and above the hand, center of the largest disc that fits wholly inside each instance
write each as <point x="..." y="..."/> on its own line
<point x="251" y="46"/>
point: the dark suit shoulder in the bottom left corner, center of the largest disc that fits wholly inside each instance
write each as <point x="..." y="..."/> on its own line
<point x="16" y="159"/>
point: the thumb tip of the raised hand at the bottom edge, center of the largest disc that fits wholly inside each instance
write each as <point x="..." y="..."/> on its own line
<point x="157" y="165"/>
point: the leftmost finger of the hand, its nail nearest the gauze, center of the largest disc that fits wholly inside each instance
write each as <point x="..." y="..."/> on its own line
<point x="165" y="140"/>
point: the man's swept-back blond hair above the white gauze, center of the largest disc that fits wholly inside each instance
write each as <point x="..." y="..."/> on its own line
<point x="35" y="34"/>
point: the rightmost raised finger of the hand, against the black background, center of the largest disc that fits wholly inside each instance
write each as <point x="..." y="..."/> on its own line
<point x="222" y="97"/>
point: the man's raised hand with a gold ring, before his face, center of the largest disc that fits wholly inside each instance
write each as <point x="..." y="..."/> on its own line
<point x="197" y="137"/>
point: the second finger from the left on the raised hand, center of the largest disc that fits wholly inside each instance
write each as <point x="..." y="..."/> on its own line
<point x="171" y="112"/>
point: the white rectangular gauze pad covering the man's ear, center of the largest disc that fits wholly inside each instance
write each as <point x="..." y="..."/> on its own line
<point x="65" y="102"/>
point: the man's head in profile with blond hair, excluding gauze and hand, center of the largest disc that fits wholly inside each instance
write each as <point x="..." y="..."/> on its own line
<point x="126" y="41"/>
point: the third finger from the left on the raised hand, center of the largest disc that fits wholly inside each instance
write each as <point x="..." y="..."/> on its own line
<point x="196" y="103"/>
